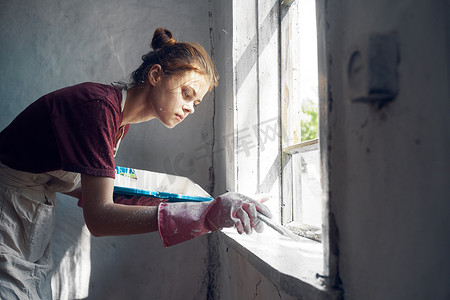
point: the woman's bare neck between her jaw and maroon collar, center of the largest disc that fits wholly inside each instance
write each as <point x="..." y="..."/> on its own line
<point x="137" y="108"/>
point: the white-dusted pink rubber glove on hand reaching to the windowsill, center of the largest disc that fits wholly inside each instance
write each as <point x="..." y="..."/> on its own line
<point x="179" y="222"/>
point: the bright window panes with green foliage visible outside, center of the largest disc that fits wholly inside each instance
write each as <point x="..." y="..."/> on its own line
<point x="302" y="195"/>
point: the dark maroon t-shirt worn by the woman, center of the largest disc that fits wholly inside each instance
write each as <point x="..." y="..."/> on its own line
<point x="73" y="129"/>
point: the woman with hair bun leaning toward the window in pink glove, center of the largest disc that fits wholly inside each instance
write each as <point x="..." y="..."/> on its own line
<point x="66" y="142"/>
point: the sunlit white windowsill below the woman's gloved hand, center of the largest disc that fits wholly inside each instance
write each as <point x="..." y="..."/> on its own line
<point x="291" y="265"/>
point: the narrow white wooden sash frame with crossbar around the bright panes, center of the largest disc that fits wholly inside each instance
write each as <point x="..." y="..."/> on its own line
<point x="291" y="206"/>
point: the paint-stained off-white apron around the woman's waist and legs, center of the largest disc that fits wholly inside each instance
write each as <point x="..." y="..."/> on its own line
<point x="27" y="218"/>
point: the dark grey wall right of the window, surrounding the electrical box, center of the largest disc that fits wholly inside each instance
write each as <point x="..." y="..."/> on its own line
<point x="389" y="165"/>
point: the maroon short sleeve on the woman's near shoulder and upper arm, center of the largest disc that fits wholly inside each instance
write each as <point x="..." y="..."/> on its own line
<point x="85" y="137"/>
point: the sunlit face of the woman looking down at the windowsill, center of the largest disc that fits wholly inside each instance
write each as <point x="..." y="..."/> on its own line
<point x="175" y="97"/>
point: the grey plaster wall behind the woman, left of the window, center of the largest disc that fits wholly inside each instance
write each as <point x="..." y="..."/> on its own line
<point x="46" y="45"/>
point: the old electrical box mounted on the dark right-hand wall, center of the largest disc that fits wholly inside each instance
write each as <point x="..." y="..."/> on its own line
<point x="372" y="69"/>
